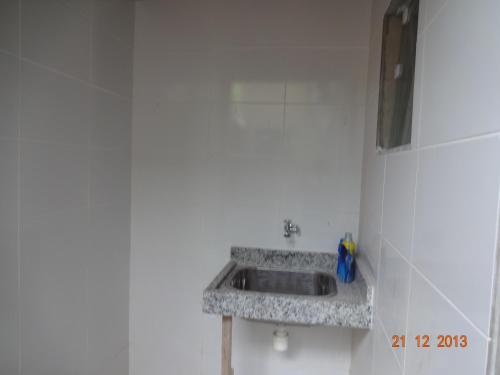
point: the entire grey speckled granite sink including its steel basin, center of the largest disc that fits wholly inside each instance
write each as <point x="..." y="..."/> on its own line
<point x="290" y="287"/>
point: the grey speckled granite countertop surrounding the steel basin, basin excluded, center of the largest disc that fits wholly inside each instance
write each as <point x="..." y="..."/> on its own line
<point x="351" y="306"/>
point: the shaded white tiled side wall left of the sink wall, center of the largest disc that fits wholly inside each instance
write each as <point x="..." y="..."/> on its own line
<point x="65" y="114"/>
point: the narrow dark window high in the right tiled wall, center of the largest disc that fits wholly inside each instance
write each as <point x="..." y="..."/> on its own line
<point x="397" y="74"/>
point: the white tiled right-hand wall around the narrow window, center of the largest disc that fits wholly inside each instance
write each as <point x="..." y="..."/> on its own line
<point x="429" y="214"/>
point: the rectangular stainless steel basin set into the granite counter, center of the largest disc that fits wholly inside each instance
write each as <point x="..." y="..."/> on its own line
<point x="284" y="282"/>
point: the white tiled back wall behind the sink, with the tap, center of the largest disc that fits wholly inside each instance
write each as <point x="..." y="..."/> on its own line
<point x="245" y="113"/>
